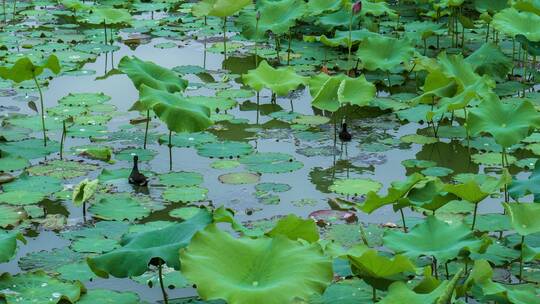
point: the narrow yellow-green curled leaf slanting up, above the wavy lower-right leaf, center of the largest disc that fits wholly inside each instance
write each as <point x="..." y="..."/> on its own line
<point x="398" y="190"/>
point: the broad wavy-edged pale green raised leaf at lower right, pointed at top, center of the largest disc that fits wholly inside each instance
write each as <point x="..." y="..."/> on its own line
<point x="433" y="237"/>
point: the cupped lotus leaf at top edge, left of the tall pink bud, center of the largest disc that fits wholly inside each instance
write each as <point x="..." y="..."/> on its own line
<point x="275" y="16"/>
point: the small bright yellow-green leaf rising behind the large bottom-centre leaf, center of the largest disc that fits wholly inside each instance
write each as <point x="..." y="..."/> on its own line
<point x="296" y="228"/>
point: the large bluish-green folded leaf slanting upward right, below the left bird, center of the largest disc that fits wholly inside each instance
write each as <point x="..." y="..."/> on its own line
<point x="138" y="250"/>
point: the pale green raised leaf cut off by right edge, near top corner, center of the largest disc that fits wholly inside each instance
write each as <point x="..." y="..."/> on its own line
<point x="513" y="22"/>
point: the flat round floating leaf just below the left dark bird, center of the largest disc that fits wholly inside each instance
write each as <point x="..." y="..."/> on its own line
<point x="119" y="208"/>
